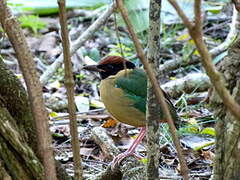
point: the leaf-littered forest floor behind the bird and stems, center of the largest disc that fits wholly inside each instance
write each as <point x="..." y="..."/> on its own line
<point x="197" y="134"/>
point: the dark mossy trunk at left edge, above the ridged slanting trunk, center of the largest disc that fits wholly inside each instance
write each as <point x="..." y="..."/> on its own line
<point x="14" y="97"/>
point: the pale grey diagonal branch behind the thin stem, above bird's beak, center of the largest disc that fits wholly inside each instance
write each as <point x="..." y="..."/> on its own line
<point x="78" y="43"/>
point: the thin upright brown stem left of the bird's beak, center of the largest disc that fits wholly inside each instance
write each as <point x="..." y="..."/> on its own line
<point x="69" y="83"/>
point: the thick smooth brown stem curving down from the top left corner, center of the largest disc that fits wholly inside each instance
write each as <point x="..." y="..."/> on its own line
<point x="25" y="59"/>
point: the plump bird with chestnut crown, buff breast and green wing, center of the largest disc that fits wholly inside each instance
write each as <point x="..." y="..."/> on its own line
<point x="123" y="90"/>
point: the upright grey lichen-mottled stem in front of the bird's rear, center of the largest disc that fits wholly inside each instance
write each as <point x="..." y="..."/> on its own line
<point x="153" y="57"/>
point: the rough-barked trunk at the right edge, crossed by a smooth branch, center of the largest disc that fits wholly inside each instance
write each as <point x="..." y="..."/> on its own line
<point x="228" y="127"/>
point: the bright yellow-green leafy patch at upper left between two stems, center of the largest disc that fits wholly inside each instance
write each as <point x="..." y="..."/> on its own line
<point x="32" y="22"/>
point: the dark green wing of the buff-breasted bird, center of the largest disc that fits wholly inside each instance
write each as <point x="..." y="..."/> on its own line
<point x="134" y="86"/>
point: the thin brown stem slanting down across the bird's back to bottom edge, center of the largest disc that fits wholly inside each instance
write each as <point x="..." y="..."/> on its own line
<point x="155" y="84"/>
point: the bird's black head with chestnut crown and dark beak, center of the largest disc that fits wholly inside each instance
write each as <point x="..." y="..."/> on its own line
<point x="110" y="65"/>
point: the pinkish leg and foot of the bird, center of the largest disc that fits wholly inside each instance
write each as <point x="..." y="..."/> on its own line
<point x="131" y="150"/>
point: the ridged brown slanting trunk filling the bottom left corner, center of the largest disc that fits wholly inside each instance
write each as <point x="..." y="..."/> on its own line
<point x="17" y="156"/>
